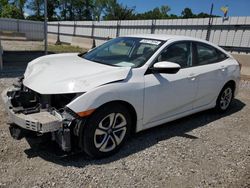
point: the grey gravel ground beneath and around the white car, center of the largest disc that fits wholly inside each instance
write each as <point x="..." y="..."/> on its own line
<point x="202" y="150"/>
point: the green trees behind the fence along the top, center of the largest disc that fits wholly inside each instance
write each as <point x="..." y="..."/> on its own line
<point x="87" y="10"/>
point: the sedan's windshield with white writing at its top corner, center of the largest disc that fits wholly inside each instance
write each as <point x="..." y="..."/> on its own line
<point x="124" y="51"/>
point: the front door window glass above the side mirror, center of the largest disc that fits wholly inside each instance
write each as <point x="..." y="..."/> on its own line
<point x="179" y="53"/>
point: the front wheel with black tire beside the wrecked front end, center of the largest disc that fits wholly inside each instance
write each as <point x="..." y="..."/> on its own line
<point x="106" y="131"/>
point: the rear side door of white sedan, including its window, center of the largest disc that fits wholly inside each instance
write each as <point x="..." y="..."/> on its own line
<point x="210" y="67"/>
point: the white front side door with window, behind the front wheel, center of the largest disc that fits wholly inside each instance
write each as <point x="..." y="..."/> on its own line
<point x="167" y="95"/>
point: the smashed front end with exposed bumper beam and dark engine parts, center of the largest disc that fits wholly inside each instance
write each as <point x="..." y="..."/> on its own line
<point x="37" y="116"/>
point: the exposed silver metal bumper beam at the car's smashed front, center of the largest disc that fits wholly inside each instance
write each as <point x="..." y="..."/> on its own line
<point x="41" y="122"/>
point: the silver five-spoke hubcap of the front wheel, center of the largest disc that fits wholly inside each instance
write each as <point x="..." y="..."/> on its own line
<point x="110" y="132"/>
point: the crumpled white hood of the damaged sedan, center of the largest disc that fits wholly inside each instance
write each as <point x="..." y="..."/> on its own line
<point x="69" y="73"/>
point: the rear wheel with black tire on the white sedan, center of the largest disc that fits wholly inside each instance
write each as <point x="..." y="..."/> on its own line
<point x="225" y="98"/>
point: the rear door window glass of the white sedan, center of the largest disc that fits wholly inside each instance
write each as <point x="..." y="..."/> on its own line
<point x="207" y="54"/>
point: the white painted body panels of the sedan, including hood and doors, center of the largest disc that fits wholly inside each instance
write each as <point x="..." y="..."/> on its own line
<point x="156" y="97"/>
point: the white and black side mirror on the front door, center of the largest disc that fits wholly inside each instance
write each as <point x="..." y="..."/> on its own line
<point x="166" y="67"/>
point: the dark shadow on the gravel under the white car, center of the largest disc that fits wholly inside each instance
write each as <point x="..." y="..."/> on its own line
<point x="141" y="140"/>
